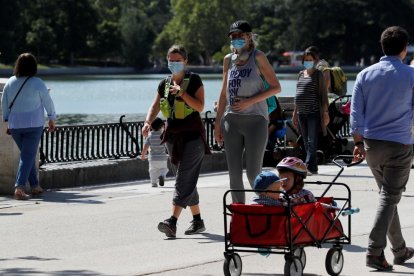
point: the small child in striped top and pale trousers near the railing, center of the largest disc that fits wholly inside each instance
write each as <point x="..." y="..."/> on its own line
<point x="157" y="158"/>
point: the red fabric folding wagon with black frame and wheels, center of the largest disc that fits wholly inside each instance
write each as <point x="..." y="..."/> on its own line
<point x="289" y="229"/>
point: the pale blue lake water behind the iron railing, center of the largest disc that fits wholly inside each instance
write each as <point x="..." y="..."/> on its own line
<point x="104" y="98"/>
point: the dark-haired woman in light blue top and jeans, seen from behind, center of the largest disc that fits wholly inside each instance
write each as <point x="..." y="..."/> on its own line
<point x="25" y="97"/>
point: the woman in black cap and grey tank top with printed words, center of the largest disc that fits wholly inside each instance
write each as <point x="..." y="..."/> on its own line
<point x="242" y="115"/>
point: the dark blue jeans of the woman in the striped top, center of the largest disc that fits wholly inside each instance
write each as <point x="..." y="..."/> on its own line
<point x="310" y="125"/>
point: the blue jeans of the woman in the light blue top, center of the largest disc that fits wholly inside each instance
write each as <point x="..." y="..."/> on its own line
<point x="27" y="139"/>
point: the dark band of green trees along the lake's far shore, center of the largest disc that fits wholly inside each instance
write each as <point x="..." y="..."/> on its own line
<point x="139" y="32"/>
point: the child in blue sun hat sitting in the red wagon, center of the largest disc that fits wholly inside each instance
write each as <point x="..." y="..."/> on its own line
<point x="267" y="182"/>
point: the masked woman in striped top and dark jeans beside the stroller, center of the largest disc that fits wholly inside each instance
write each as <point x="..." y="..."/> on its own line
<point x="310" y="113"/>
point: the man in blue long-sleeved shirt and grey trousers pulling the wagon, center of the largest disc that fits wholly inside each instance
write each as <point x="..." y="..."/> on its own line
<point x="382" y="109"/>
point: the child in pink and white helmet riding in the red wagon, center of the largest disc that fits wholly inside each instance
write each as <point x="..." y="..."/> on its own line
<point x="294" y="170"/>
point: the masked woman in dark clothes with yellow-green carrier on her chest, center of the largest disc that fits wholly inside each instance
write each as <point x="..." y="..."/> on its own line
<point x="180" y="97"/>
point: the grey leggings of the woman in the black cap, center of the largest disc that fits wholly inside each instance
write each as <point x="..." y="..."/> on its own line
<point x="246" y="133"/>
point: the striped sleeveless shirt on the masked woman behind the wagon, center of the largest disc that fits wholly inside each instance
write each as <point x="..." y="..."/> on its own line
<point x="307" y="98"/>
